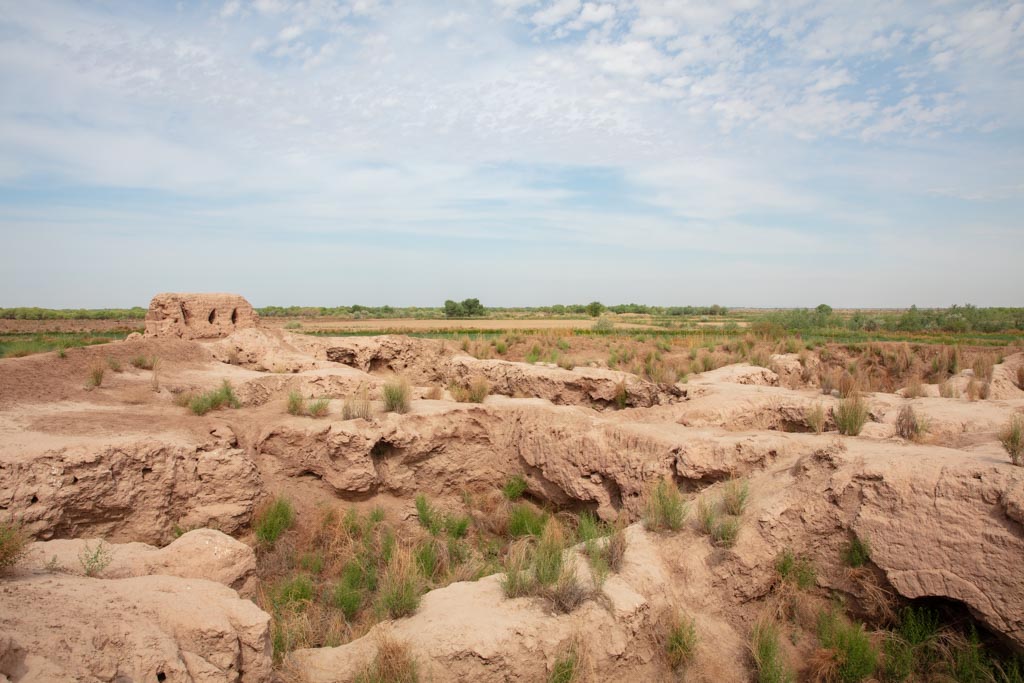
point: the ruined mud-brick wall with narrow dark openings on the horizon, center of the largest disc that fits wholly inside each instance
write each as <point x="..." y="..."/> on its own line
<point x="198" y="316"/>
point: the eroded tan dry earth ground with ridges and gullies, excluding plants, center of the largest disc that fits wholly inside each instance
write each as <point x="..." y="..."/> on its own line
<point x="124" y="463"/>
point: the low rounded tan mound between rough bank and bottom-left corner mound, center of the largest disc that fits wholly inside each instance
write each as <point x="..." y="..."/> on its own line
<point x="201" y="553"/>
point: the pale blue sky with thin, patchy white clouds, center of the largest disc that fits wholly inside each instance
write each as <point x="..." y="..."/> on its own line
<point x="746" y="153"/>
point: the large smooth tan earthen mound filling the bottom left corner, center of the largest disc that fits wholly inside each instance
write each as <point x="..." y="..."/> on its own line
<point x="64" y="628"/>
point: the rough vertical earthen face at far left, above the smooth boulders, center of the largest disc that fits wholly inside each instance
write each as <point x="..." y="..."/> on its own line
<point x="132" y="491"/>
